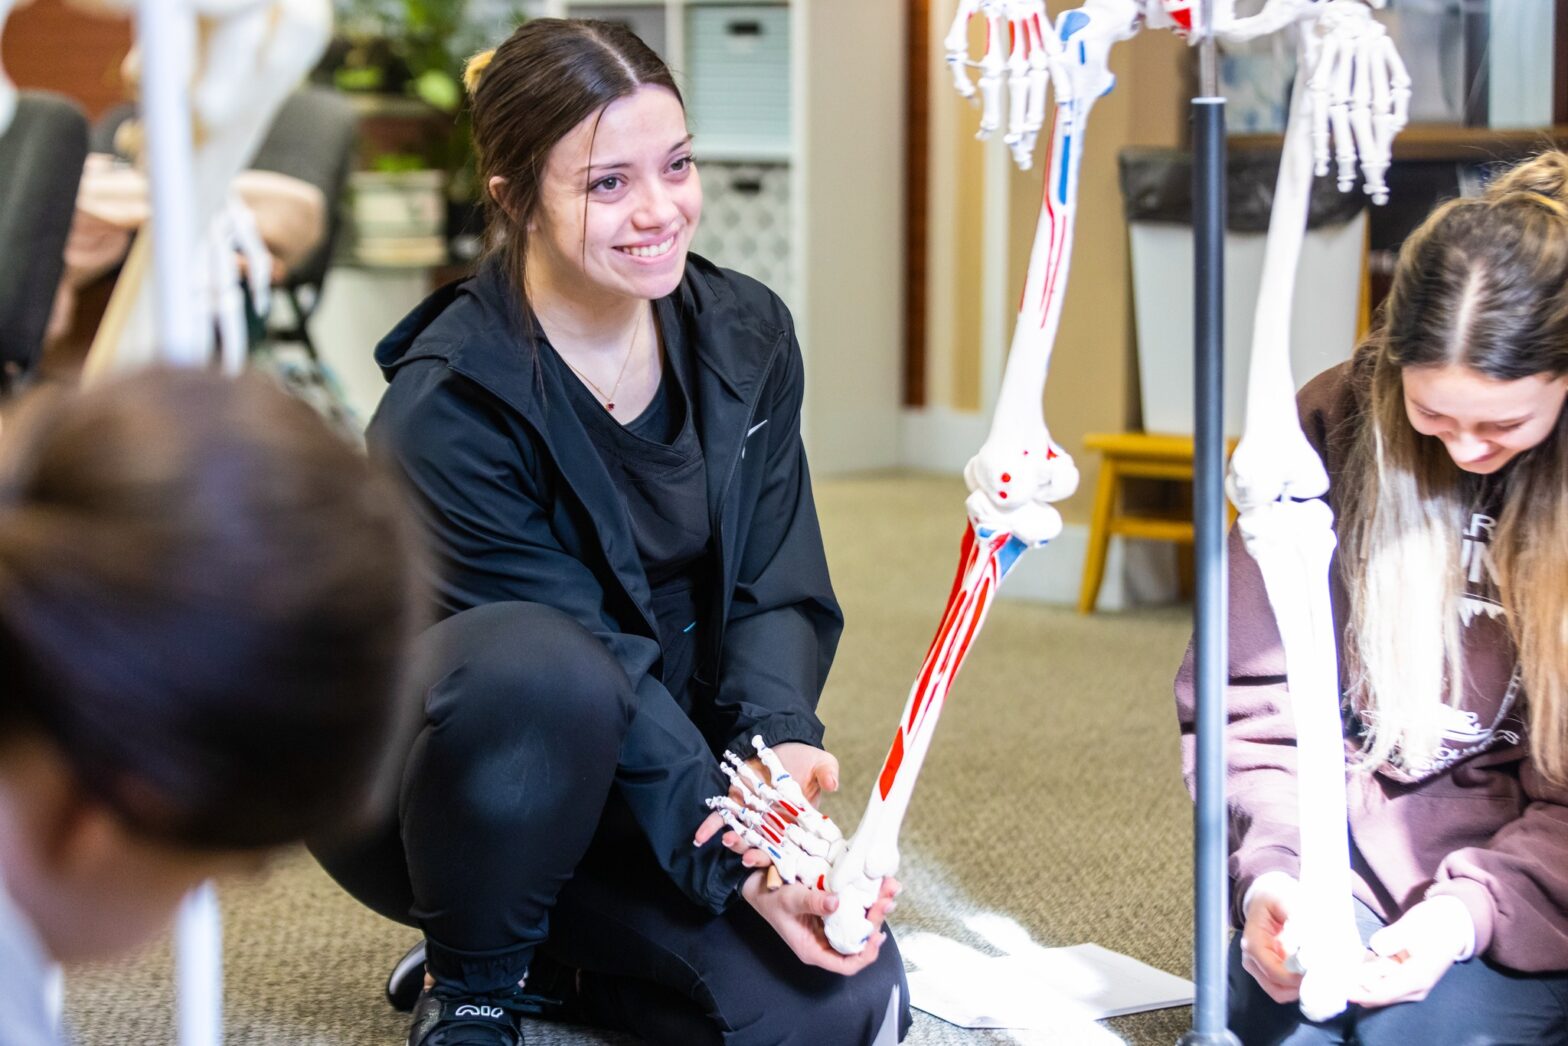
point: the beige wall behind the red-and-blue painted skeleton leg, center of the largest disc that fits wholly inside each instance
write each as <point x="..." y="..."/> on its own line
<point x="1094" y="380"/>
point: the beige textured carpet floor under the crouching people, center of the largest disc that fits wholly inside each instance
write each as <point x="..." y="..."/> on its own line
<point x="1051" y="796"/>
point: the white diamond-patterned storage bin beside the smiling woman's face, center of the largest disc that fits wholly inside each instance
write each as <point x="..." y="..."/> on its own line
<point x="747" y="222"/>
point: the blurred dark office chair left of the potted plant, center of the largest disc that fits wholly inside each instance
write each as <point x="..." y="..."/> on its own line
<point x="313" y="139"/>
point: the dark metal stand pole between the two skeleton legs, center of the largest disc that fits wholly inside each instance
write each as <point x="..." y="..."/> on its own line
<point x="1211" y="882"/>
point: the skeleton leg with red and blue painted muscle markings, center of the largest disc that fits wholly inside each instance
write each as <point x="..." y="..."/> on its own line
<point x="1014" y="482"/>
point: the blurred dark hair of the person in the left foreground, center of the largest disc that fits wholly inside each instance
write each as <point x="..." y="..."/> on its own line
<point x="205" y="603"/>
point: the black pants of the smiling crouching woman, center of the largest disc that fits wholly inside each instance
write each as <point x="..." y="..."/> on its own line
<point x="509" y="841"/>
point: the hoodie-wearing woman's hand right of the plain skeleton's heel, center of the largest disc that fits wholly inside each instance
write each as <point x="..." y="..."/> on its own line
<point x="1410" y="956"/>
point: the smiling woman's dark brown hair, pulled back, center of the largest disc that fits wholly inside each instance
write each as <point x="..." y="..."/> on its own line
<point x="531" y="93"/>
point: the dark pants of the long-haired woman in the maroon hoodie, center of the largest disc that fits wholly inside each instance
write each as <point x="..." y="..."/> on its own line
<point x="1475" y="1004"/>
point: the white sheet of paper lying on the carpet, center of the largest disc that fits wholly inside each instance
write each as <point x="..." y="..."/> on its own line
<point x="1033" y="987"/>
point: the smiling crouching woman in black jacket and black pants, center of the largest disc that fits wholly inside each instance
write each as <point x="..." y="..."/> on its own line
<point x="603" y="432"/>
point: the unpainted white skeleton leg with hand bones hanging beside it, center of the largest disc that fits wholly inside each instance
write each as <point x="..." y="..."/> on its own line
<point x="1277" y="481"/>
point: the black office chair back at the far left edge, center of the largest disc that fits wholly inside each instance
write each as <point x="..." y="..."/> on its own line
<point x="42" y="158"/>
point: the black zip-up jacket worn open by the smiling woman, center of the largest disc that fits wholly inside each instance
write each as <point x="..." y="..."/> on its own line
<point x="520" y="507"/>
